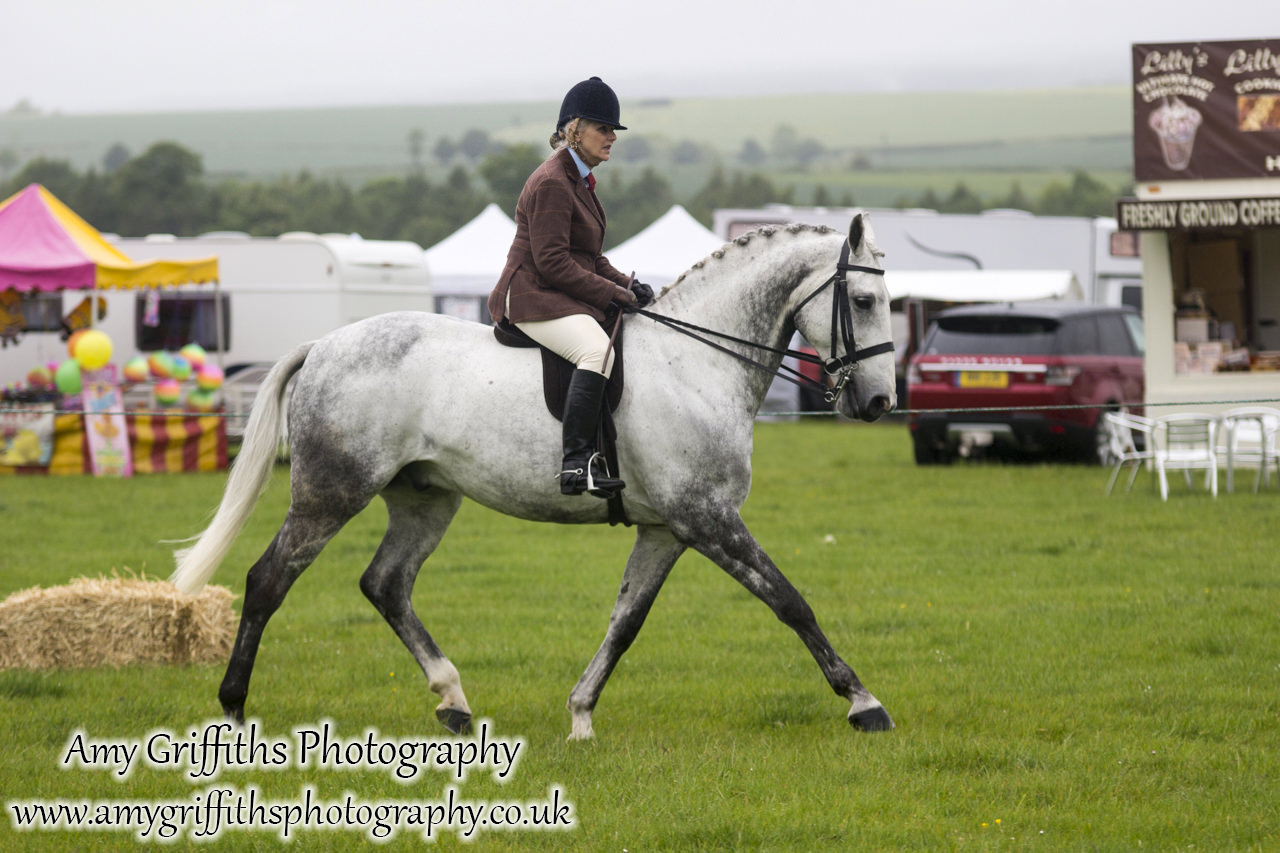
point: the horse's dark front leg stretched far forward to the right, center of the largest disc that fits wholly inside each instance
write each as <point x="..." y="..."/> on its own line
<point x="724" y="539"/>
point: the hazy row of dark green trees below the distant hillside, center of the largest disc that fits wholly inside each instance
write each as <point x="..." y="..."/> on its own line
<point x="164" y="190"/>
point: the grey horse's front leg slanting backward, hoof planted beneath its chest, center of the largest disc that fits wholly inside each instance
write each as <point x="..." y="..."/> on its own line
<point x="651" y="562"/>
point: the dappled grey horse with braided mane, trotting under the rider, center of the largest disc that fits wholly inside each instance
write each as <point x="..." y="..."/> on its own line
<point x="424" y="410"/>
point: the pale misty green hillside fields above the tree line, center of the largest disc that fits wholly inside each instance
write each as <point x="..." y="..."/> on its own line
<point x="1026" y="131"/>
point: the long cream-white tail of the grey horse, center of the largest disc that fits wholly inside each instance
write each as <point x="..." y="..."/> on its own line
<point x="248" y="480"/>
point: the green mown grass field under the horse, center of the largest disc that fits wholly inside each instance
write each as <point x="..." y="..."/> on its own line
<point x="1067" y="670"/>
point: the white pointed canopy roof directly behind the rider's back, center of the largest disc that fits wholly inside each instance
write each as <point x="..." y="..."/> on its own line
<point x="470" y="261"/>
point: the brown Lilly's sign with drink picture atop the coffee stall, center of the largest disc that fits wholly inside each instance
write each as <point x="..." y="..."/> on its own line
<point x="1206" y="111"/>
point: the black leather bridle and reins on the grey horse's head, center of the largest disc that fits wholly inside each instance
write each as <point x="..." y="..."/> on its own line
<point x="842" y="322"/>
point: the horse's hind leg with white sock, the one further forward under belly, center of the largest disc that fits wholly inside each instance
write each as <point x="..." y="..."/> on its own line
<point x="417" y="522"/>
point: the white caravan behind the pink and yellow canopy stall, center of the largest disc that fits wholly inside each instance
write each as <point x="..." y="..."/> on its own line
<point x="273" y="294"/>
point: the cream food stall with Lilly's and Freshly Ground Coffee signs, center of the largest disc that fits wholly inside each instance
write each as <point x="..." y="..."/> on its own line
<point x="1206" y="216"/>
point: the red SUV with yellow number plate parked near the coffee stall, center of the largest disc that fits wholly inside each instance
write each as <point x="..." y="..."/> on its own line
<point x="980" y="359"/>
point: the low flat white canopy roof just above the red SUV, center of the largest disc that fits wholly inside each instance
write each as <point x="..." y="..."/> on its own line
<point x="985" y="285"/>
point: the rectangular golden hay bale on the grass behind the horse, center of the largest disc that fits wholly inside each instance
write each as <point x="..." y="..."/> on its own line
<point x="115" y="622"/>
